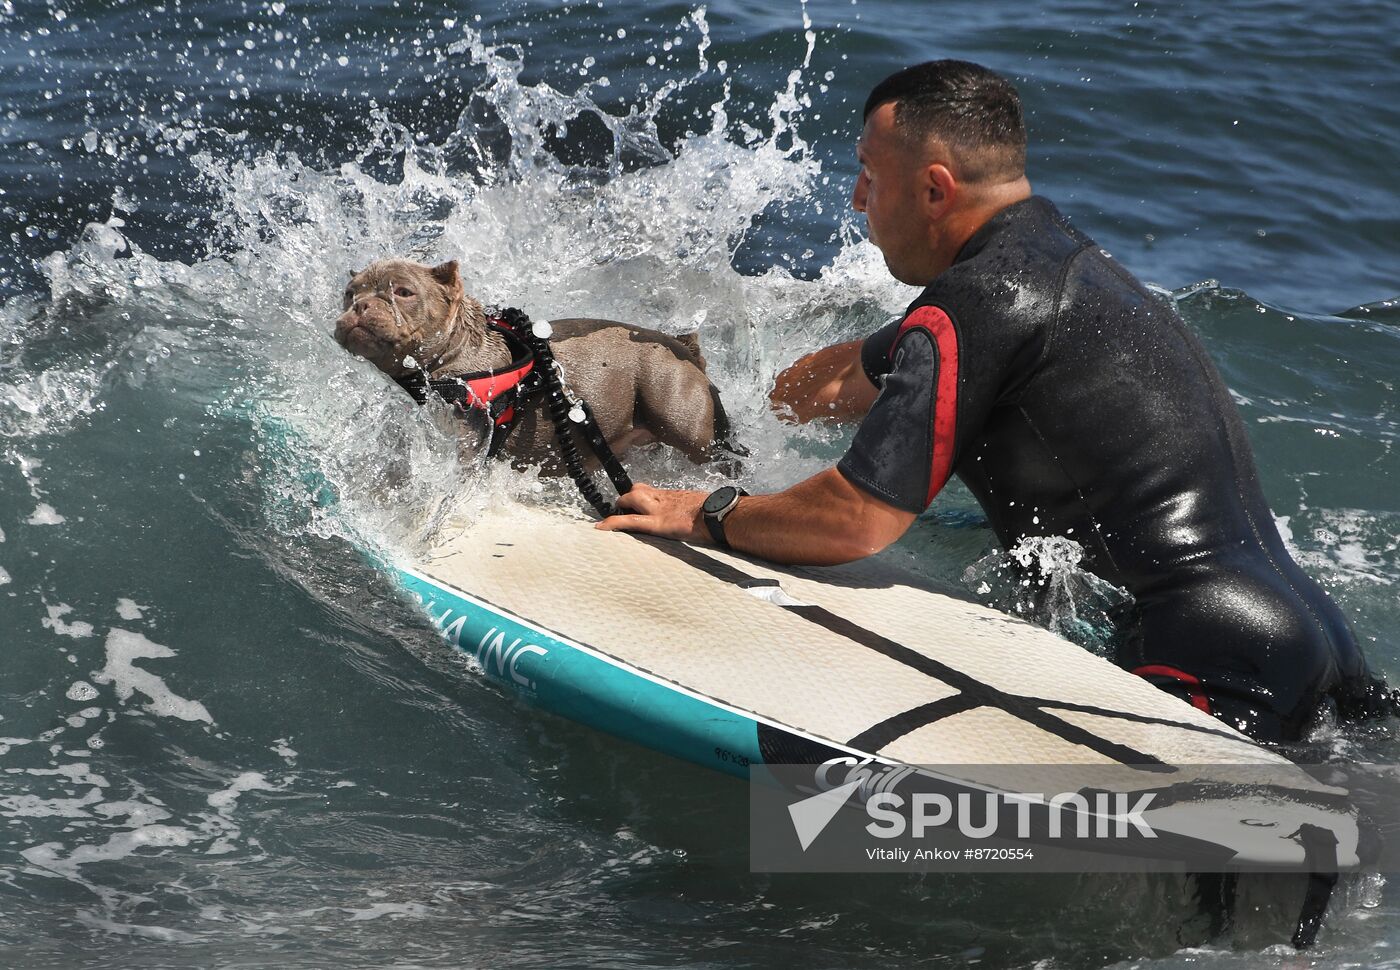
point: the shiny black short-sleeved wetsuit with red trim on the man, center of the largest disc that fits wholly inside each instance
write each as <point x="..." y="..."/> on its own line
<point x="1074" y="402"/>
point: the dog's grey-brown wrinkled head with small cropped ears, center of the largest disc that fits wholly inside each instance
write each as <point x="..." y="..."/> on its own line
<point x="405" y="318"/>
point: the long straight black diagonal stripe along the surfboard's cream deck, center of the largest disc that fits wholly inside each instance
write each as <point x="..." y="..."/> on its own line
<point x="979" y="694"/>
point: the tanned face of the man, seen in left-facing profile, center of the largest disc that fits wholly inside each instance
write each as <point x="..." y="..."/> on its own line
<point x="890" y="192"/>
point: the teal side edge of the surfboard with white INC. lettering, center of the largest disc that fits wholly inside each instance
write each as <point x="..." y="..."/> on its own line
<point x="580" y="684"/>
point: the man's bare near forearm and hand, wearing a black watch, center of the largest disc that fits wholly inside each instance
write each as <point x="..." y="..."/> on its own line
<point x="822" y="521"/>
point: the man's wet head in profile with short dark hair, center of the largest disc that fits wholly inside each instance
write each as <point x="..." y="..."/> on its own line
<point x="943" y="150"/>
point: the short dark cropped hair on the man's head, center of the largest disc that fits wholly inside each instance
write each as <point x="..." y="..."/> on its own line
<point x="972" y="110"/>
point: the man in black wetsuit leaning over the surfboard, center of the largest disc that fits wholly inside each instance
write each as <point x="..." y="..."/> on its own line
<point x="1066" y="397"/>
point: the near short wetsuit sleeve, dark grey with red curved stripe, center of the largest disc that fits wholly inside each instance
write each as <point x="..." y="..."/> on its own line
<point x="904" y="449"/>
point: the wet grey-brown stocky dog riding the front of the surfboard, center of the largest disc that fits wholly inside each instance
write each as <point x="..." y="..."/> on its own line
<point x="415" y="321"/>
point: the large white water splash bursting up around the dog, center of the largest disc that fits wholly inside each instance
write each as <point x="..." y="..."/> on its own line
<point x="646" y="236"/>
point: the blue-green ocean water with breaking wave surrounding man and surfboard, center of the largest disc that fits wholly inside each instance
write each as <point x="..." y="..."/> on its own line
<point x="225" y="738"/>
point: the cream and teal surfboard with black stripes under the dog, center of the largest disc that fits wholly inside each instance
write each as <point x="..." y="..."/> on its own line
<point x="731" y="663"/>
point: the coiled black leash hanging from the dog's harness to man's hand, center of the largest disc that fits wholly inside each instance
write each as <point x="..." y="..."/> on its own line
<point x="570" y="418"/>
